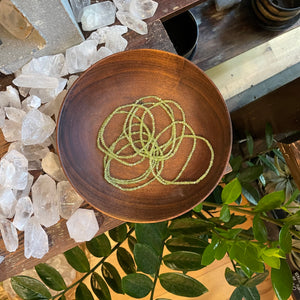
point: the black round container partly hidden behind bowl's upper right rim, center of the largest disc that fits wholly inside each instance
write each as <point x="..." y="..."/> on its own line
<point x="183" y="32"/>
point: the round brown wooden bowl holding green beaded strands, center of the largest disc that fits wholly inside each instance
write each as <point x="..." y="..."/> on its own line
<point x="121" y="79"/>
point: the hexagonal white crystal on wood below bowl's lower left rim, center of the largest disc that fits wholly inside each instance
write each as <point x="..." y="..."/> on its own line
<point x="82" y="225"/>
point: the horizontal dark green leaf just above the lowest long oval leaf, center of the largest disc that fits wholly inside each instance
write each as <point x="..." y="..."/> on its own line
<point x="183" y="261"/>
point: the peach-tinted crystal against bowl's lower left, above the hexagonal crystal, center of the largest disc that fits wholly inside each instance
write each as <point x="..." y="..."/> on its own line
<point x="68" y="198"/>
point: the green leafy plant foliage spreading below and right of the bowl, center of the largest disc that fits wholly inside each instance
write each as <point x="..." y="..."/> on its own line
<point x="188" y="243"/>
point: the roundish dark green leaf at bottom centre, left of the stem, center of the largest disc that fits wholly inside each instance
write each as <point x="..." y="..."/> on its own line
<point x="137" y="285"/>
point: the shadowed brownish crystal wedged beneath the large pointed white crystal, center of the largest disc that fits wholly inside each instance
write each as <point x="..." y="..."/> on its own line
<point x="31" y="152"/>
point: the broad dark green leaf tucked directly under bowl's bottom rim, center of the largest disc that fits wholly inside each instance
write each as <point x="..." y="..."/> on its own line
<point x="152" y="235"/>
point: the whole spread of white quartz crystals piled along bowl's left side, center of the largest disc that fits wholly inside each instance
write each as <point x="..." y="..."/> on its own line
<point x="28" y="115"/>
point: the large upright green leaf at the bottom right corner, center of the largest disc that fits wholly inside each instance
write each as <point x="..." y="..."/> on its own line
<point x="282" y="281"/>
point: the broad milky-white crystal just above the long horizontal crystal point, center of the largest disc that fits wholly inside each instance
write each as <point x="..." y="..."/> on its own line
<point x="52" y="65"/>
